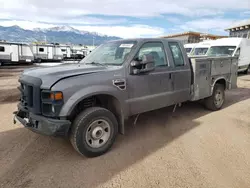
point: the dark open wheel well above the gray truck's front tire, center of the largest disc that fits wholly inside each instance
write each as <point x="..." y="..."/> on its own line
<point x="105" y="101"/>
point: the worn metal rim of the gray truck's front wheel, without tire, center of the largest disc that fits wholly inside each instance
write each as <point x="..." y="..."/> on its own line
<point x="98" y="133"/>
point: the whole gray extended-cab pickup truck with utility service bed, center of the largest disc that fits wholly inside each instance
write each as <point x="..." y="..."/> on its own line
<point x="89" y="101"/>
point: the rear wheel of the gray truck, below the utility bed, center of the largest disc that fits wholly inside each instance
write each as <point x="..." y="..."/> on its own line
<point x="216" y="101"/>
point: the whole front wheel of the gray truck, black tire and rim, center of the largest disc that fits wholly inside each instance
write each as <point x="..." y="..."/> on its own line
<point x="91" y="138"/>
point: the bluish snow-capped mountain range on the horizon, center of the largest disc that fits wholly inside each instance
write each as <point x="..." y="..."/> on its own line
<point x="60" y="34"/>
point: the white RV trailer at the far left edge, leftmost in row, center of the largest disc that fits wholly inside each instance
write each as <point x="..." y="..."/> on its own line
<point x="14" y="52"/>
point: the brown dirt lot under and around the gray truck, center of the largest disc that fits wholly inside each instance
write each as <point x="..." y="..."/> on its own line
<point x="192" y="147"/>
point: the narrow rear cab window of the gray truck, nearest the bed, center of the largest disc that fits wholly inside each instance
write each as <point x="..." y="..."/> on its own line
<point x="176" y="53"/>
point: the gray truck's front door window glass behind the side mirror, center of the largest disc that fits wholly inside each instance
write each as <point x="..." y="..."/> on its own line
<point x="156" y="49"/>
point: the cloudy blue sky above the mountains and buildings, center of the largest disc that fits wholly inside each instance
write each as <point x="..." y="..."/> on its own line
<point x="126" y="18"/>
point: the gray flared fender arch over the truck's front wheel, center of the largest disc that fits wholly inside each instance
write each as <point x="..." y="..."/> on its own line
<point x="86" y="92"/>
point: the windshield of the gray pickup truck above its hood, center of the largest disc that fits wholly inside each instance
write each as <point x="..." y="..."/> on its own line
<point x="112" y="53"/>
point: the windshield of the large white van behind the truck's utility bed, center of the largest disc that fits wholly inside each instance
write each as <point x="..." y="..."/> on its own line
<point x="221" y="50"/>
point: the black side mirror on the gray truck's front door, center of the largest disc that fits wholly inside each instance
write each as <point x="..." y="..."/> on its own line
<point x="147" y="64"/>
